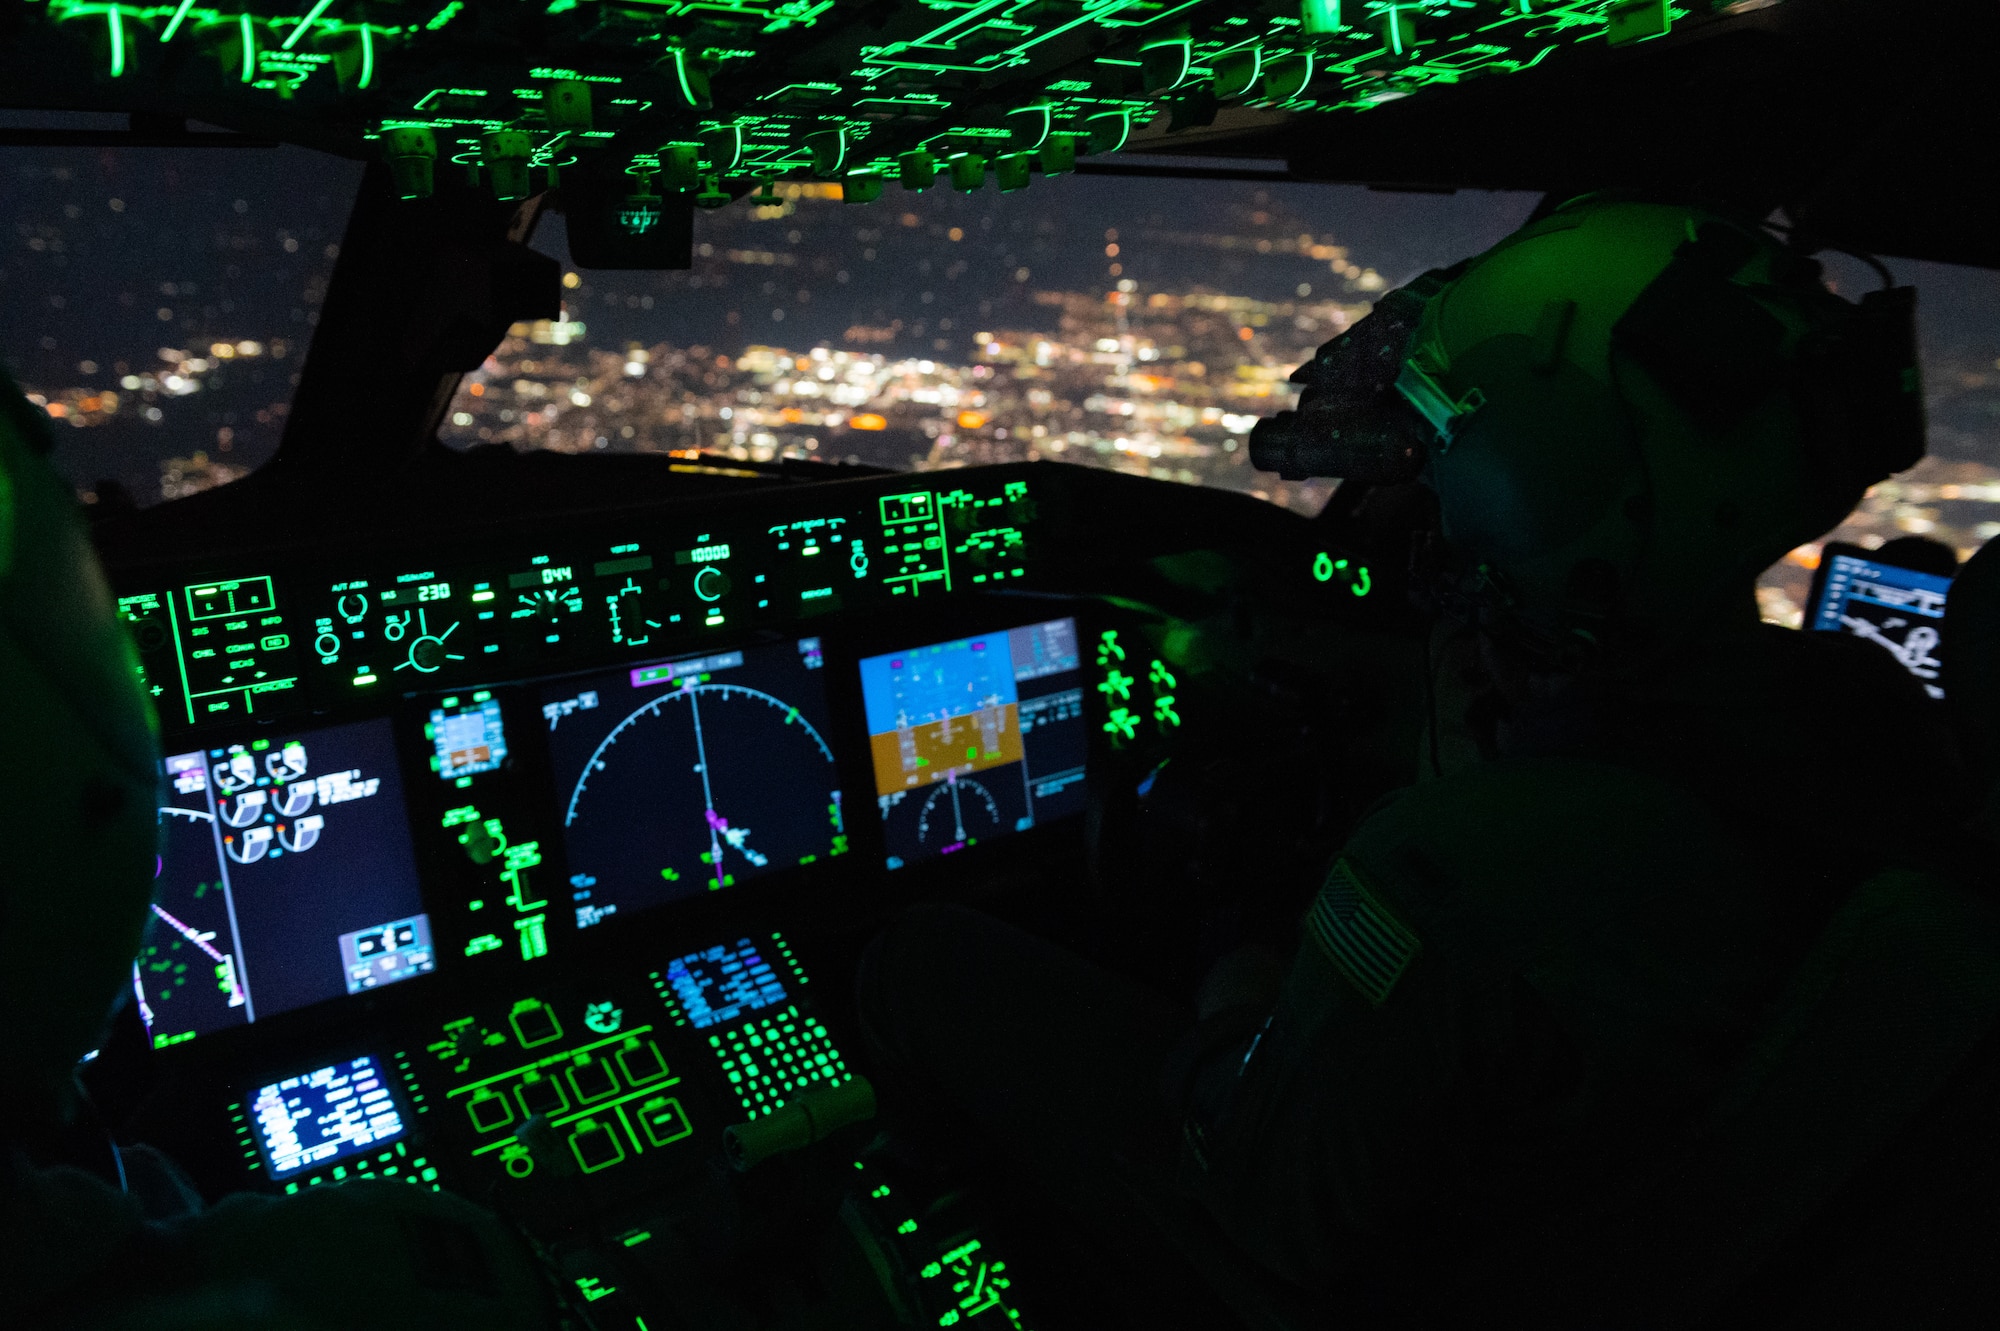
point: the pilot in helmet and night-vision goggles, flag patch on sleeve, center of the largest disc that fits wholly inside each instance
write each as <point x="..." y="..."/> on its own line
<point x="1527" y="976"/>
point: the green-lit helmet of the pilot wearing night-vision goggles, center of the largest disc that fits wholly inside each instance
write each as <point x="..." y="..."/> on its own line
<point x="1635" y="409"/>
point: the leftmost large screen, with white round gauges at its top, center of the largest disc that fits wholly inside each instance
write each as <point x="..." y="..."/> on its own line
<point x="285" y="878"/>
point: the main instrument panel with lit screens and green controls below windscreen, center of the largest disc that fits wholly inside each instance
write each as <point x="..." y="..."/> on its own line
<point x="525" y="858"/>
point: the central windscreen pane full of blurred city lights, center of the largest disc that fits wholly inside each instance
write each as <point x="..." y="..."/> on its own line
<point x="1129" y="325"/>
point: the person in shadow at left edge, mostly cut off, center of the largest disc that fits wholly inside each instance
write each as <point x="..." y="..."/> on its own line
<point x="77" y="1250"/>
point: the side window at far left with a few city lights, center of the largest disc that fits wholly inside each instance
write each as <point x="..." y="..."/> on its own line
<point x="161" y="301"/>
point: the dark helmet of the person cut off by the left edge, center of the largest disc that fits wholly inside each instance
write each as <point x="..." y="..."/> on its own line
<point x="79" y="764"/>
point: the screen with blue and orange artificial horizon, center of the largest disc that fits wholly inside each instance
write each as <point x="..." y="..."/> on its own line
<point x="975" y="738"/>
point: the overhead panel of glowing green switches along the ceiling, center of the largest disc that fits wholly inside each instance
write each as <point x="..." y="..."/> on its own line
<point x="691" y="97"/>
